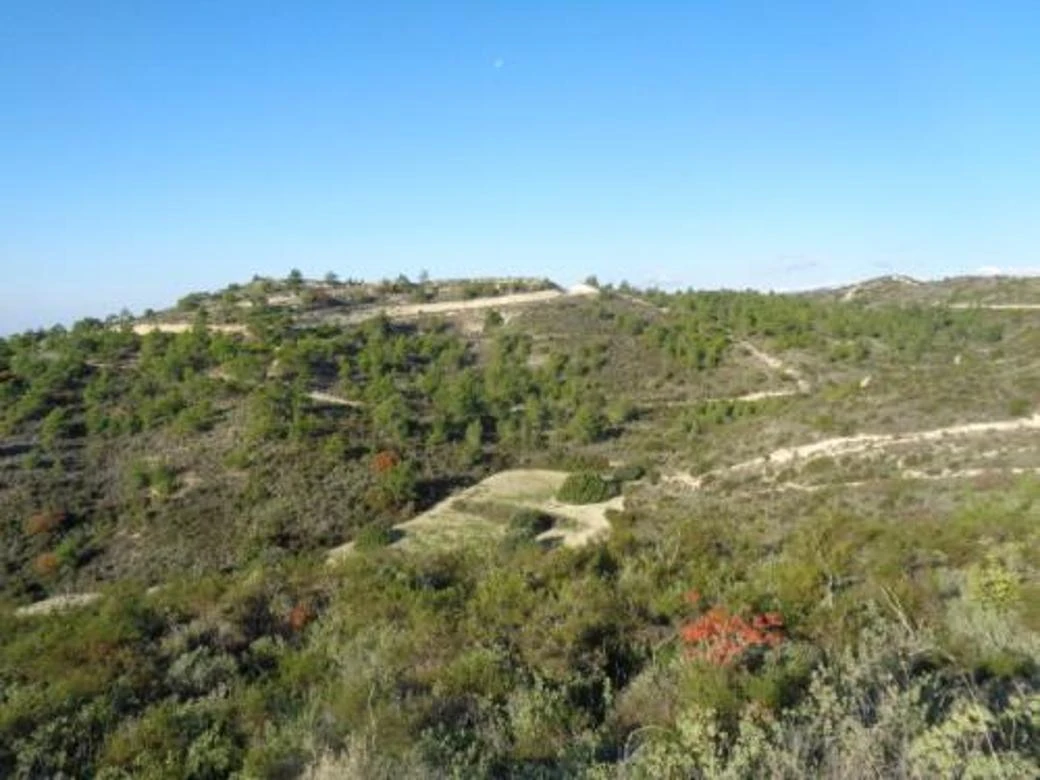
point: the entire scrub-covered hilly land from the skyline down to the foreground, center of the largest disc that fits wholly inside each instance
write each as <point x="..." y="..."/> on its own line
<point x="499" y="528"/>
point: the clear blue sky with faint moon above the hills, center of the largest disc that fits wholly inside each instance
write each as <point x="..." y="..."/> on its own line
<point x="151" y="149"/>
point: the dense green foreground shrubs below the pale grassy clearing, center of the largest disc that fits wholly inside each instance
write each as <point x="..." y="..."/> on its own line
<point x="434" y="662"/>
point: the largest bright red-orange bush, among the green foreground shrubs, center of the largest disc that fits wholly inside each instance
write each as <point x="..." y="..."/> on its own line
<point x="721" y="638"/>
